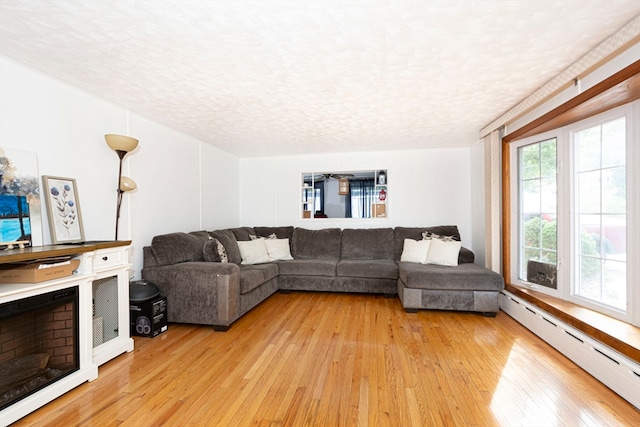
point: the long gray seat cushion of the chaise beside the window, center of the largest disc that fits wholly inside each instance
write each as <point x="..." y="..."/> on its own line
<point x="463" y="277"/>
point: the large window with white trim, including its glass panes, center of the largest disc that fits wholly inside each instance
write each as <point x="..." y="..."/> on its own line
<point x="576" y="209"/>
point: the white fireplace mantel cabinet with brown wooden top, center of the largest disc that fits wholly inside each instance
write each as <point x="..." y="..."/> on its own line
<point x="97" y="261"/>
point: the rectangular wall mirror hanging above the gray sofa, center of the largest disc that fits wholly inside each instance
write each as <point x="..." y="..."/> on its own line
<point x="345" y="194"/>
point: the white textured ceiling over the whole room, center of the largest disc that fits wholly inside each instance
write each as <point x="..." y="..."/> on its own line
<point x="287" y="77"/>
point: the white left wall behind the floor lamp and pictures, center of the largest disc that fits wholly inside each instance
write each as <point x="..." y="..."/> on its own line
<point x="183" y="184"/>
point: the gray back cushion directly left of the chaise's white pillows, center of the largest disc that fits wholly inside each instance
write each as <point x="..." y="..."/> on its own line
<point x="370" y="243"/>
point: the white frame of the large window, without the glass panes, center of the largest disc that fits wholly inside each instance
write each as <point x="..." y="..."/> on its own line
<point x="565" y="208"/>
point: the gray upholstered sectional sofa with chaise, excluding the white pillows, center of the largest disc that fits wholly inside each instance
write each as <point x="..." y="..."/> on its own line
<point x="201" y="289"/>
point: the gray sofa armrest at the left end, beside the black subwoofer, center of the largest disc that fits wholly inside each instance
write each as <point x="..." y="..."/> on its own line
<point x="198" y="292"/>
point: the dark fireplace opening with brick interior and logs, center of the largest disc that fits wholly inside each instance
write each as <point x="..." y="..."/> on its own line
<point x="39" y="343"/>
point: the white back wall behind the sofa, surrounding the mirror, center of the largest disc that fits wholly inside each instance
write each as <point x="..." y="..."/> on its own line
<point x="426" y="187"/>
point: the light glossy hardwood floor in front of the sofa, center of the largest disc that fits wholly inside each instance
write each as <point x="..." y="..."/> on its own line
<point x="322" y="359"/>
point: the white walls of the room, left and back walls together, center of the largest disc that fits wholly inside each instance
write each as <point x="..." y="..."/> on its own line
<point x="186" y="185"/>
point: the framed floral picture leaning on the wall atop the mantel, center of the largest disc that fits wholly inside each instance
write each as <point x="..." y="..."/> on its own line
<point x="63" y="209"/>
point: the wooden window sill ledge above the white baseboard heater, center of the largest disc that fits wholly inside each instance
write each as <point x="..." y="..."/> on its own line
<point x="618" y="335"/>
